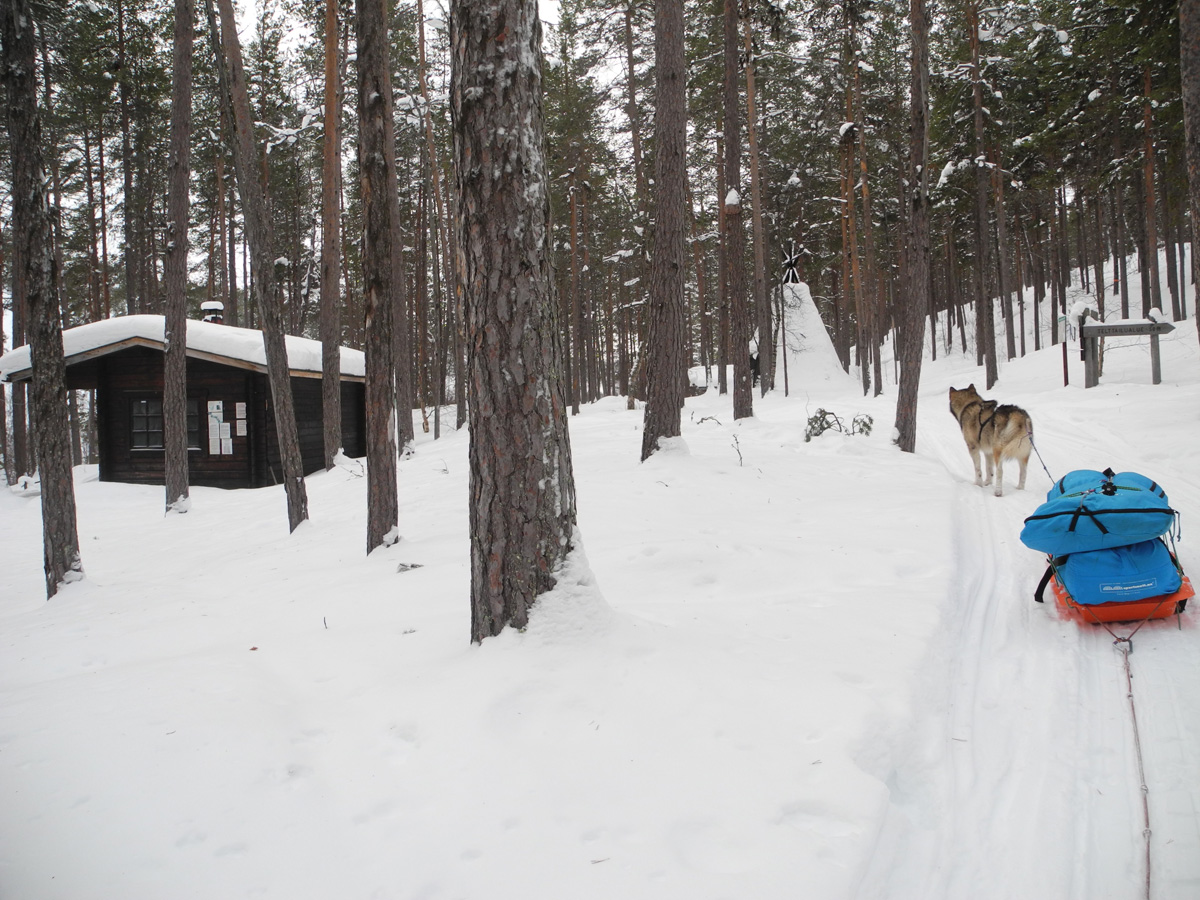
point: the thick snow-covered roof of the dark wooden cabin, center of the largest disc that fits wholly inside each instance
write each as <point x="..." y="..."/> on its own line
<point x="239" y="347"/>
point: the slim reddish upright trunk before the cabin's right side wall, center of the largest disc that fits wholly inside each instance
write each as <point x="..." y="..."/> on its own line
<point x="331" y="259"/>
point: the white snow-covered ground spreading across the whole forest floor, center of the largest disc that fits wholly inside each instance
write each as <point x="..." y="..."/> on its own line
<point x="795" y="670"/>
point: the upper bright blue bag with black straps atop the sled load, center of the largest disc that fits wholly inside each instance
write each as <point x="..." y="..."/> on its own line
<point x="1091" y="511"/>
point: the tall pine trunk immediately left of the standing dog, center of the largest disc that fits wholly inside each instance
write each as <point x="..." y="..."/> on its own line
<point x="913" y="322"/>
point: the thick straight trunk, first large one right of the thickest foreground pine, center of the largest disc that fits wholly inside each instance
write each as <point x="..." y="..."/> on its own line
<point x="667" y="361"/>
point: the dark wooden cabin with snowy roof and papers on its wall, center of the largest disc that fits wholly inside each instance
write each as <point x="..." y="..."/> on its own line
<point x="231" y="422"/>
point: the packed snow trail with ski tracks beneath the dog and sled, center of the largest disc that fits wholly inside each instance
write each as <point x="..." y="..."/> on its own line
<point x="1007" y="806"/>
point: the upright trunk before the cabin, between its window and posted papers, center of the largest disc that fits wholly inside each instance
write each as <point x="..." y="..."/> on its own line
<point x="175" y="400"/>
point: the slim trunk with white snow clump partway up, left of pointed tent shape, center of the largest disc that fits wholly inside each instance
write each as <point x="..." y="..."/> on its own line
<point x="735" y="232"/>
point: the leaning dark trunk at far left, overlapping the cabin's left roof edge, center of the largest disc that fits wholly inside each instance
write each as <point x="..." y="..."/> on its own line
<point x="33" y="241"/>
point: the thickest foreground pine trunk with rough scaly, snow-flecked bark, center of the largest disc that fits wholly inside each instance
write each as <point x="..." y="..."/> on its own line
<point x="523" y="485"/>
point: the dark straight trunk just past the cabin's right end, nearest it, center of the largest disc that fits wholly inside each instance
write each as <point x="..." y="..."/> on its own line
<point x="377" y="164"/>
